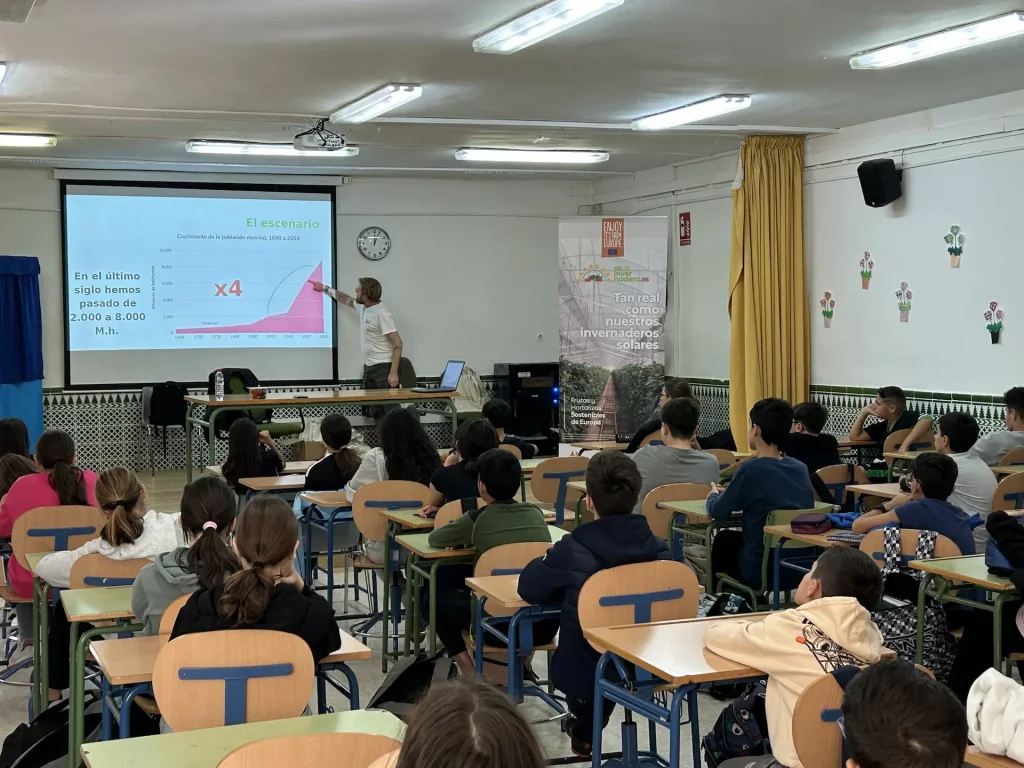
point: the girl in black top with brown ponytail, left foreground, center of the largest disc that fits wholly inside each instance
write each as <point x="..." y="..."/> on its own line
<point x="268" y="593"/>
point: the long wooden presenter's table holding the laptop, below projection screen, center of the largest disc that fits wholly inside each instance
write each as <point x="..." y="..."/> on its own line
<point x="212" y="405"/>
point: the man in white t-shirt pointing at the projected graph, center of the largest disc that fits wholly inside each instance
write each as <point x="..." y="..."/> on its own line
<point x="379" y="337"/>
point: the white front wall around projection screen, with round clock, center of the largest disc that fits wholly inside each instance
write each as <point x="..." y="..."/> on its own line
<point x="473" y="274"/>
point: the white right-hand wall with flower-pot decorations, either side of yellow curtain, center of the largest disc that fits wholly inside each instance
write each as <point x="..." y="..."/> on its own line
<point x="962" y="165"/>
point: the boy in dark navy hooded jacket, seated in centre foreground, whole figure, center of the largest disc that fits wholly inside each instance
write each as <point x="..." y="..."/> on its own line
<point x="616" y="538"/>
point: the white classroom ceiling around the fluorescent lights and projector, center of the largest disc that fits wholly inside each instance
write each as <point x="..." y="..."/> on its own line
<point x="132" y="80"/>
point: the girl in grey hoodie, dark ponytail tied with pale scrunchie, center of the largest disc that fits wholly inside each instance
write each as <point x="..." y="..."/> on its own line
<point x="206" y="561"/>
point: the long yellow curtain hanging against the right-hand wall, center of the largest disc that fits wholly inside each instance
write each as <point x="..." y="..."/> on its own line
<point x="771" y="340"/>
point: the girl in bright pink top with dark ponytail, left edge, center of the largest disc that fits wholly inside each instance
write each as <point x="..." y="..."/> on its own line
<point x="60" y="484"/>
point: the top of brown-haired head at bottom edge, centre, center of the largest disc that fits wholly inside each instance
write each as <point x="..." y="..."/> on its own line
<point x="470" y="724"/>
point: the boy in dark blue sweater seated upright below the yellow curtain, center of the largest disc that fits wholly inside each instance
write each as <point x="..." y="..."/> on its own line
<point x="766" y="483"/>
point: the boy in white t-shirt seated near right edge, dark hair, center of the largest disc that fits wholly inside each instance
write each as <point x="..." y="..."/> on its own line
<point x="956" y="437"/>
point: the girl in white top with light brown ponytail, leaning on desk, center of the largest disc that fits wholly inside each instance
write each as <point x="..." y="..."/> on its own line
<point x="131" y="533"/>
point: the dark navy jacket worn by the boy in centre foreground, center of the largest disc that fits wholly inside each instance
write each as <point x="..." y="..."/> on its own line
<point x="559" y="577"/>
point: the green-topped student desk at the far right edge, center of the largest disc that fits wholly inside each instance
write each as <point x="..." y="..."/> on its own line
<point x="946" y="576"/>
